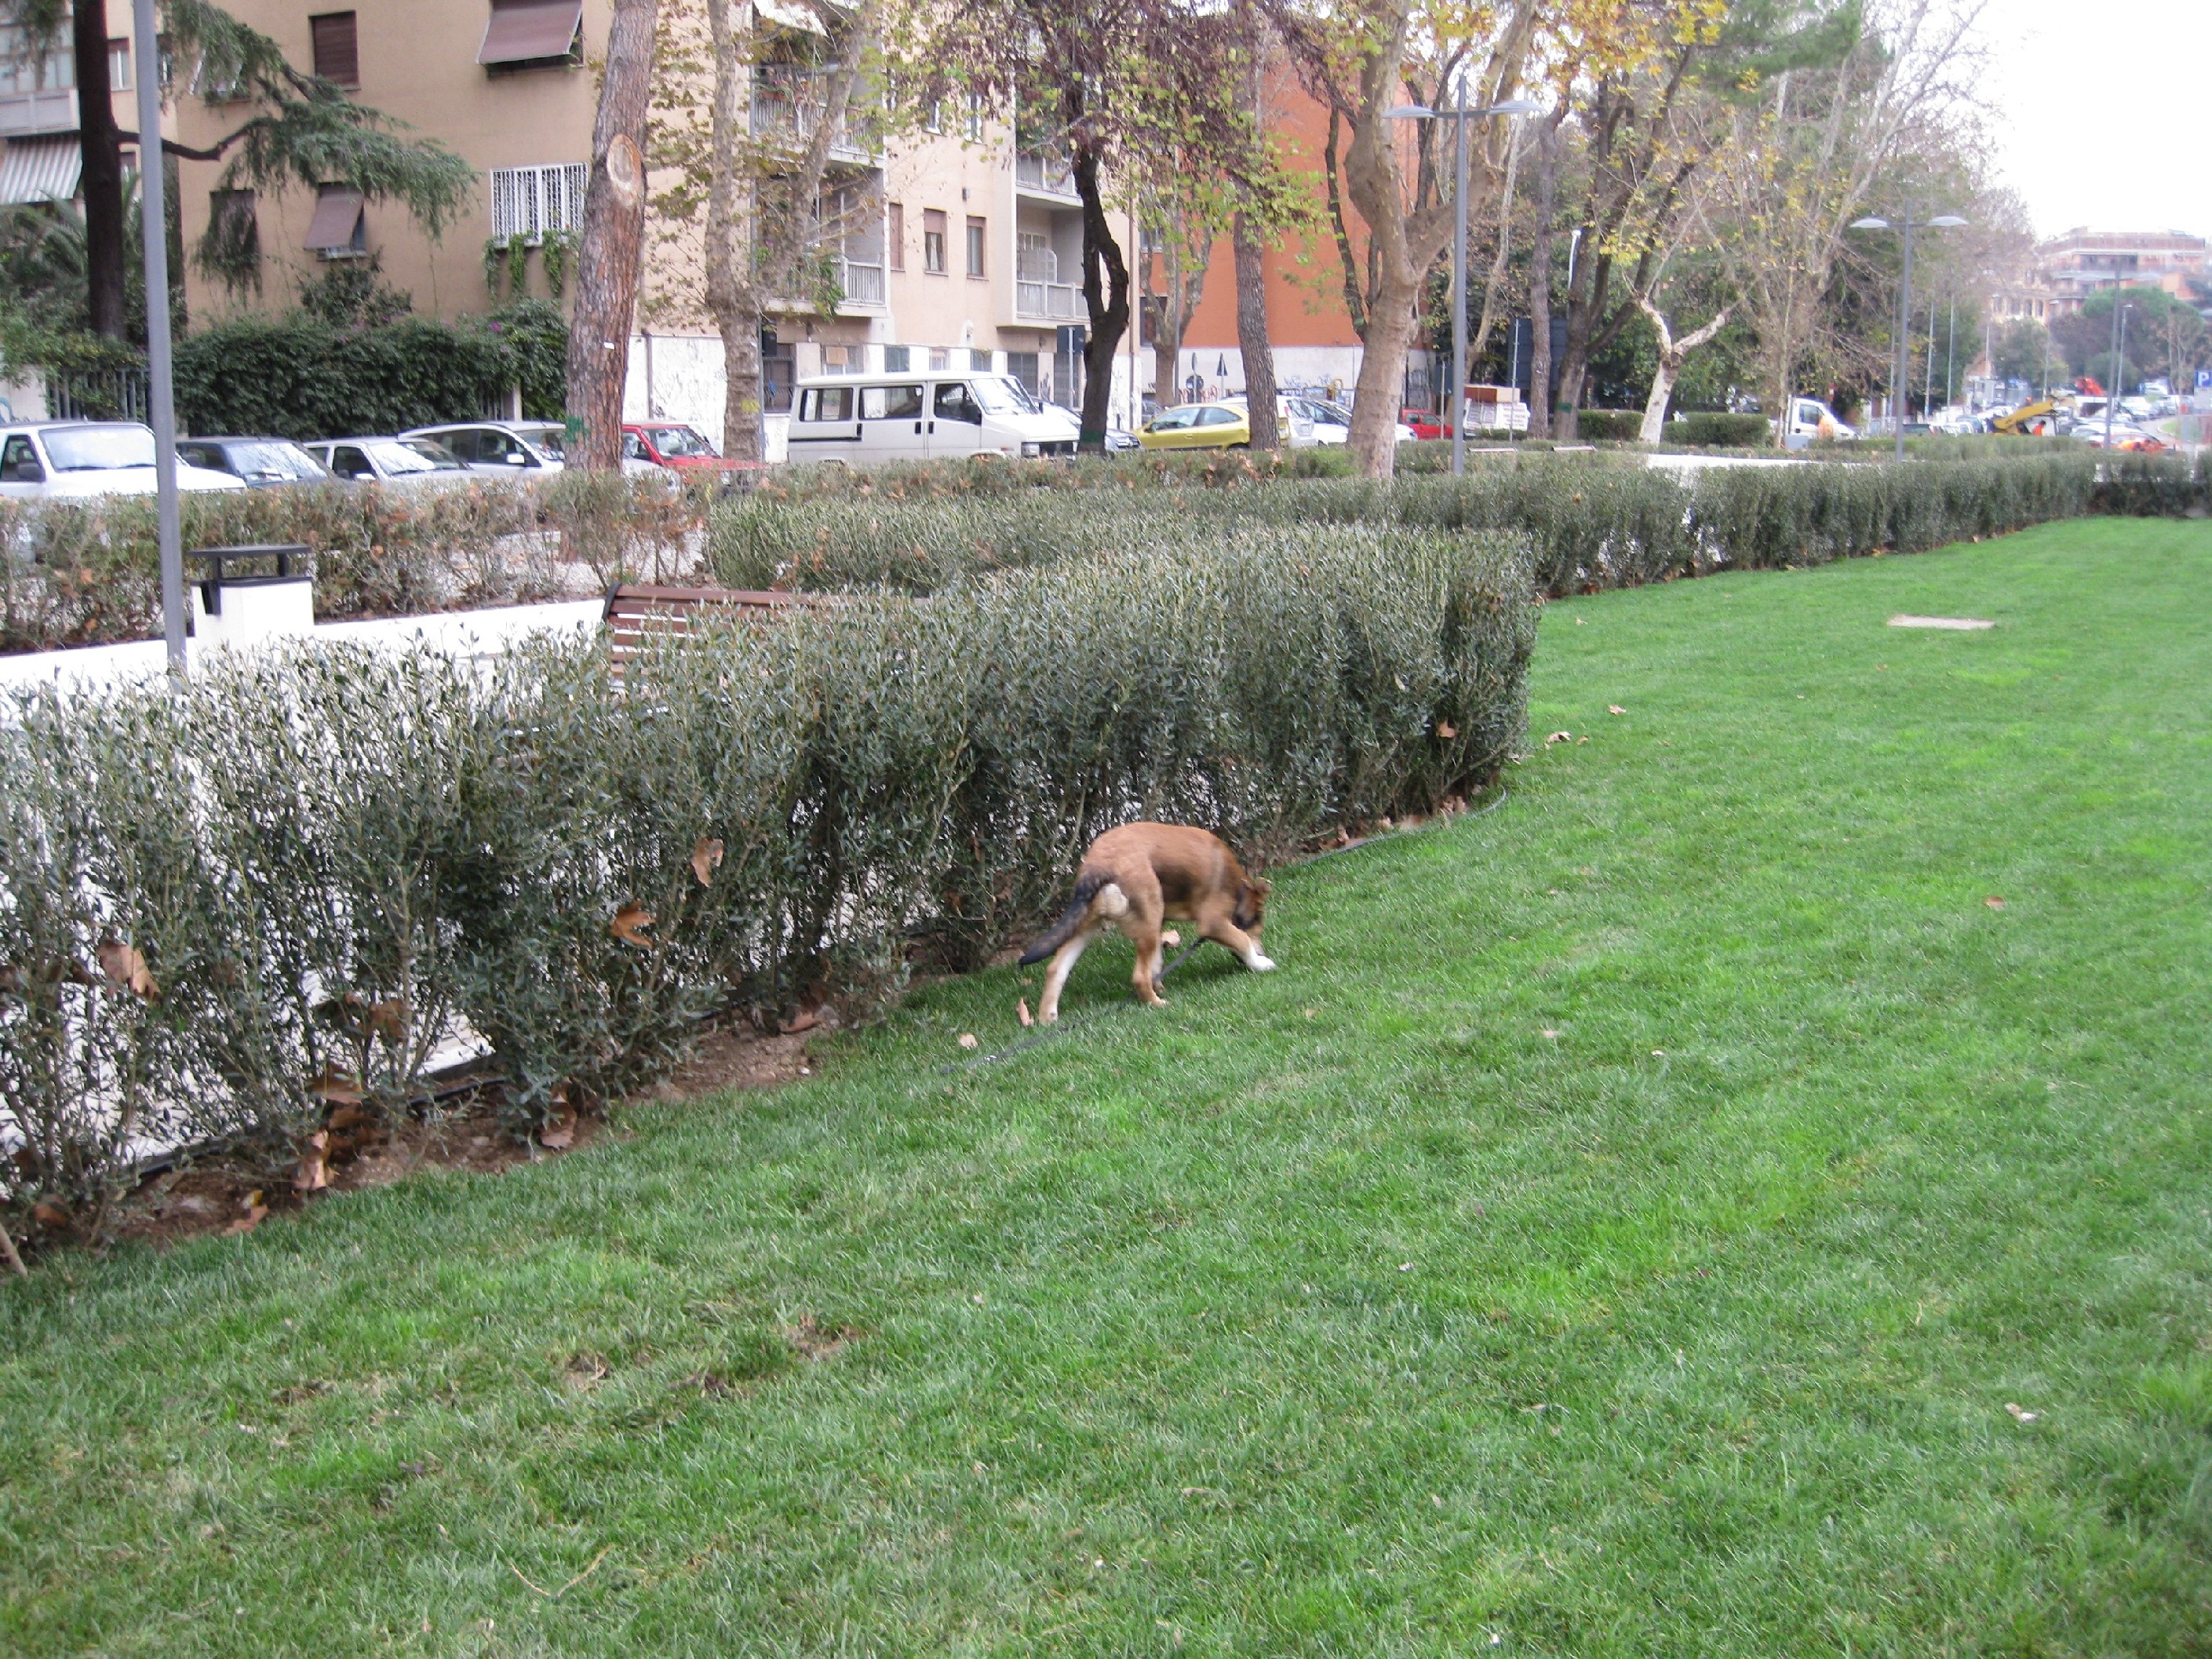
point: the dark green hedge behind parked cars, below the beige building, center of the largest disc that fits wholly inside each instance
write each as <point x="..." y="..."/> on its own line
<point x="304" y="377"/>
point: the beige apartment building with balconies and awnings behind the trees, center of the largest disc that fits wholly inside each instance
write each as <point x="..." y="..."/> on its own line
<point x="957" y="249"/>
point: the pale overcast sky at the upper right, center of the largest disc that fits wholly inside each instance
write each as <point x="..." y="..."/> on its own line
<point x="2103" y="112"/>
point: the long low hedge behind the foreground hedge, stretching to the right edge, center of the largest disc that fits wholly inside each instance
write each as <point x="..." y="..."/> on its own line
<point x="1592" y="523"/>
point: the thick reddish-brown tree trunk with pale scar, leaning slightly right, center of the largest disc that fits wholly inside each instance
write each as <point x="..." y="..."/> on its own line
<point x="612" y="249"/>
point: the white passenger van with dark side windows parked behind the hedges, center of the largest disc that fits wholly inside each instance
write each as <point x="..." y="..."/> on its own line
<point x="866" y="419"/>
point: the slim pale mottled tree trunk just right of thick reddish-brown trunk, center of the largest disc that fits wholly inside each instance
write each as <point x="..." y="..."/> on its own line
<point x="733" y="295"/>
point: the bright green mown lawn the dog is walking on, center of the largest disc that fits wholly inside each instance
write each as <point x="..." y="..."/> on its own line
<point x="1620" y="1227"/>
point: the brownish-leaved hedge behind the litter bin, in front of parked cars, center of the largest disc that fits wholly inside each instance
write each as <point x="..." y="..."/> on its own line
<point x="90" y="572"/>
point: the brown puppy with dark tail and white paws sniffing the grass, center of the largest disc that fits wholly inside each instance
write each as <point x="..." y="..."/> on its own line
<point x="1138" y="877"/>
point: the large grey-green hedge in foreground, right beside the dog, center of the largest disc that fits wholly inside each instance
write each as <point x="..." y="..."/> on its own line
<point x="231" y="906"/>
